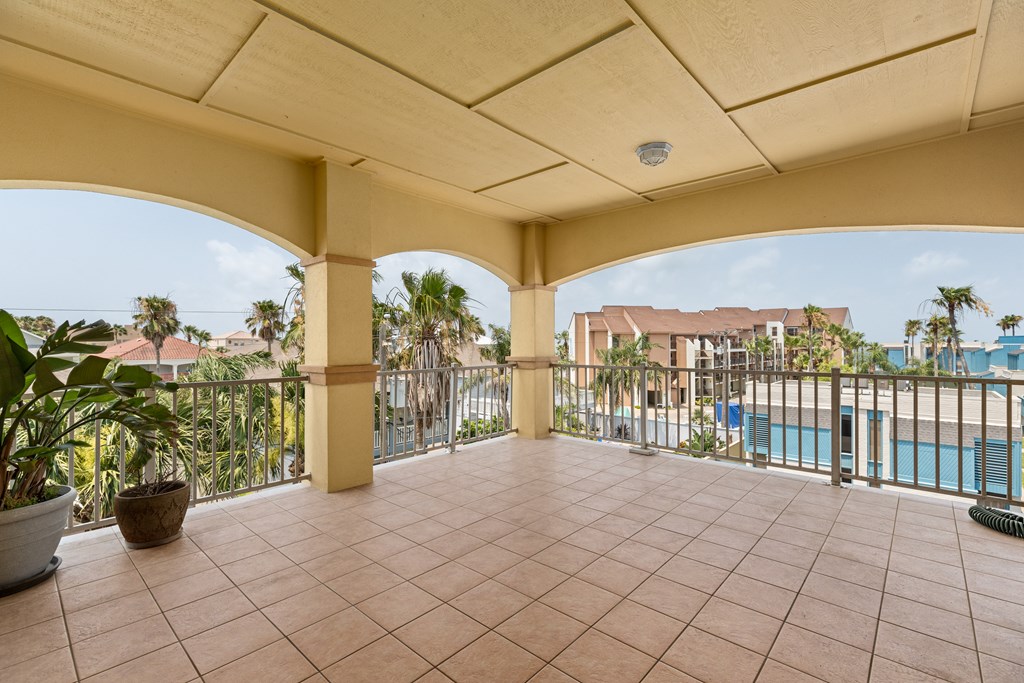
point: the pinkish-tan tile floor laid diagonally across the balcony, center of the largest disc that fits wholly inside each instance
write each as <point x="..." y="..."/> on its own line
<point x="548" y="562"/>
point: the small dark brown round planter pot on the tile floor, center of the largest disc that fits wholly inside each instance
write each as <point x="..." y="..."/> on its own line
<point x="152" y="521"/>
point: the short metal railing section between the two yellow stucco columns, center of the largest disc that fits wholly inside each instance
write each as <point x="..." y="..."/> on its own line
<point x="429" y="410"/>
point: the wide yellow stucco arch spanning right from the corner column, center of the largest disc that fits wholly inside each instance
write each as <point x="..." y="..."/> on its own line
<point x="970" y="183"/>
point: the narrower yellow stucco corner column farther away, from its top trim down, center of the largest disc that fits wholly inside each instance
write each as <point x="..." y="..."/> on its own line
<point x="534" y="354"/>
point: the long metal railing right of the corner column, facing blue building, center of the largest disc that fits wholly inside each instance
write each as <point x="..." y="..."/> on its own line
<point x="949" y="436"/>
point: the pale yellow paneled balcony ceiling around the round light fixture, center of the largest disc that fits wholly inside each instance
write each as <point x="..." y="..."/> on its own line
<point x="531" y="110"/>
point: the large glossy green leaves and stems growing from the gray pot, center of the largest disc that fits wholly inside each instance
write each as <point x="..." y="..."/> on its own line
<point x="40" y="413"/>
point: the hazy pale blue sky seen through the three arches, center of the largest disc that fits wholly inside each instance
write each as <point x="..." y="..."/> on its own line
<point x="86" y="255"/>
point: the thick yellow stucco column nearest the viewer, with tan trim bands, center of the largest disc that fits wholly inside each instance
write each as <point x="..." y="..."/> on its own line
<point x="339" y="447"/>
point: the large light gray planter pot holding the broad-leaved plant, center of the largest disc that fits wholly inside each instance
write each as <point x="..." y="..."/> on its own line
<point x="29" y="537"/>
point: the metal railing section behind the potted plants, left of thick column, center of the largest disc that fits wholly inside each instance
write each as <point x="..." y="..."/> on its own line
<point x="235" y="438"/>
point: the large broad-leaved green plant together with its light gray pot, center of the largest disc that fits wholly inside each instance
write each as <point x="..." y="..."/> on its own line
<point x="39" y="416"/>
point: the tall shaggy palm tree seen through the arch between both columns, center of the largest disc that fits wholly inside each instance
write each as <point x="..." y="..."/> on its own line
<point x="434" y="322"/>
